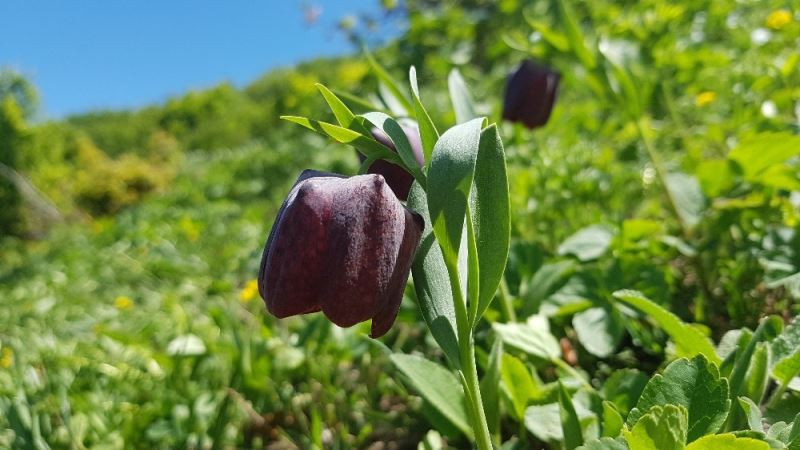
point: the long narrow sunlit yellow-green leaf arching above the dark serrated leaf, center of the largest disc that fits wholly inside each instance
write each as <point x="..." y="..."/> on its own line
<point x="688" y="340"/>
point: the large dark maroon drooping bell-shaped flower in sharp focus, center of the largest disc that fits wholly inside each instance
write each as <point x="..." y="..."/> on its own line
<point x="343" y="246"/>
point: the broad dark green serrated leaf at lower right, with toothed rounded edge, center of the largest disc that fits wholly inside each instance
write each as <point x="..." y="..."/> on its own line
<point x="697" y="386"/>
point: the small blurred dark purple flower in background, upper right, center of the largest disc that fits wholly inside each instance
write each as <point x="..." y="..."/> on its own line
<point x="530" y="94"/>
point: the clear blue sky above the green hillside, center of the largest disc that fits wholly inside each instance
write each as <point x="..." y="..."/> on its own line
<point x="110" y="54"/>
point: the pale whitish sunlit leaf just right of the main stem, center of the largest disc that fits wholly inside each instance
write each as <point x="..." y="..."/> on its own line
<point x="531" y="337"/>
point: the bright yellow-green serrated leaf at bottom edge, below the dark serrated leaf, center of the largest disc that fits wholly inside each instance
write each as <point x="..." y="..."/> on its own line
<point x="662" y="428"/>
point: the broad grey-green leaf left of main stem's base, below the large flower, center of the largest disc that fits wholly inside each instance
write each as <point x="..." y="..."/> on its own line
<point x="438" y="386"/>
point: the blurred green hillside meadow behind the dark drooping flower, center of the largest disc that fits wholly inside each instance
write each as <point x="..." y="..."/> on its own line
<point x="129" y="240"/>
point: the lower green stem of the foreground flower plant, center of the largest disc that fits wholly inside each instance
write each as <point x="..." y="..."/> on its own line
<point x="469" y="370"/>
